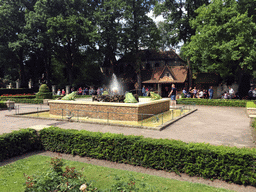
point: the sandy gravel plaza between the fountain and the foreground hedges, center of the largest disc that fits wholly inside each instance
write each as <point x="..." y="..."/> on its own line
<point x="214" y="125"/>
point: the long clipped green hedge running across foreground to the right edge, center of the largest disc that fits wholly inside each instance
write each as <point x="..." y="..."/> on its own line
<point x="196" y="159"/>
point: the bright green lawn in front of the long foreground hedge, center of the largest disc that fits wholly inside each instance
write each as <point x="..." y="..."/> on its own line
<point x="12" y="176"/>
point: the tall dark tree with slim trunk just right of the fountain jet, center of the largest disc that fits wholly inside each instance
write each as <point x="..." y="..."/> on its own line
<point x="139" y="31"/>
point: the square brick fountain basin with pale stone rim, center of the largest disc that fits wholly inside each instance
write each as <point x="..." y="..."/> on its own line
<point x="109" y="110"/>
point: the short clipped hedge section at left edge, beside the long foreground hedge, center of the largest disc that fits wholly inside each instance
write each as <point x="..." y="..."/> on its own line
<point x="18" y="143"/>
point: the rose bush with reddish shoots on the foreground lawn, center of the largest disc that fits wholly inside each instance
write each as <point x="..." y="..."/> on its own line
<point x="56" y="179"/>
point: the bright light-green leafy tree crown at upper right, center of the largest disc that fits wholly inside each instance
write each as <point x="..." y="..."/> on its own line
<point x="224" y="40"/>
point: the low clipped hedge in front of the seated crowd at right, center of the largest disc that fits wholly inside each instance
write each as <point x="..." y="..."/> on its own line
<point x="213" y="102"/>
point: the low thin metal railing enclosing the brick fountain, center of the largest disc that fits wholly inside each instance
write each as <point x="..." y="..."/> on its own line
<point x="135" y="119"/>
